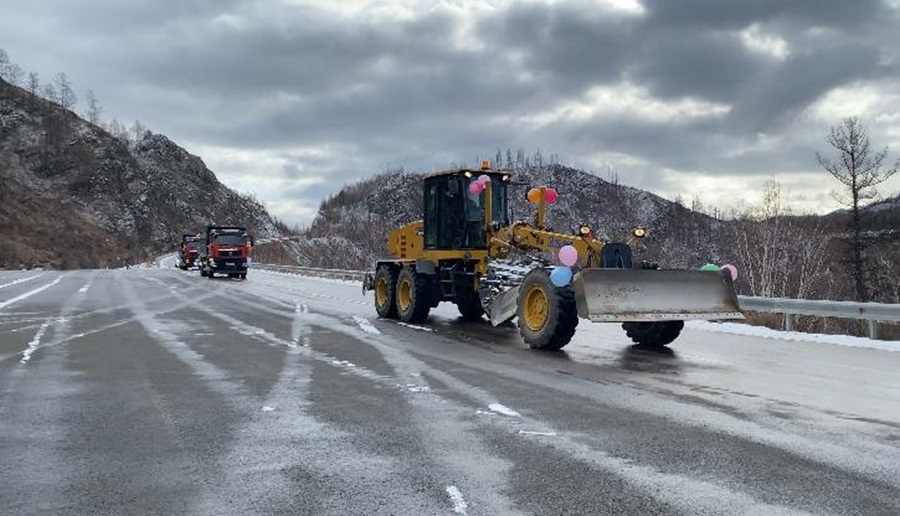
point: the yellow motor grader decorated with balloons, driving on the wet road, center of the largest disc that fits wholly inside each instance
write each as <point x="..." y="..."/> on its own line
<point x="460" y="252"/>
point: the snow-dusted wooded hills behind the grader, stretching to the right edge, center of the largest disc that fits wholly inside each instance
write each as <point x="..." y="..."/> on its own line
<point x="778" y="254"/>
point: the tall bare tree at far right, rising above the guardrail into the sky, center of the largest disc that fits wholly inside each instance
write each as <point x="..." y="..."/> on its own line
<point x="860" y="170"/>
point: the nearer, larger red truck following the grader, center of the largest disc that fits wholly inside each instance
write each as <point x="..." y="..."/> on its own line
<point x="226" y="250"/>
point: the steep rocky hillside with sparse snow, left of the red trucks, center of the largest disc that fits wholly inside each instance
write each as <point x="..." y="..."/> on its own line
<point x="73" y="195"/>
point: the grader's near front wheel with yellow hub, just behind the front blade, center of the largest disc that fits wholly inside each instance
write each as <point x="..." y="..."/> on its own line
<point x="547" y="313"/>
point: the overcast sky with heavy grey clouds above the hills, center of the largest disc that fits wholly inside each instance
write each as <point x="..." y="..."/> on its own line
<point x="291" y="99"/>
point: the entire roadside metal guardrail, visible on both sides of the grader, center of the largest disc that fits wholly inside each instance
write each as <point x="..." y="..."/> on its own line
<point x="872" y="312"/>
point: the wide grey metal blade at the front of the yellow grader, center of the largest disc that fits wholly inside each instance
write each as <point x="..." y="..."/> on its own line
<point x="610" y="295"/>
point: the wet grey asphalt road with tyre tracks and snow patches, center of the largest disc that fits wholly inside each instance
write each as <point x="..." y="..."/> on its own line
<point x="155" y="391"/>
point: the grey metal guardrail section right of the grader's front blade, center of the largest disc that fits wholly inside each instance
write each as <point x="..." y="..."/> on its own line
<point x="872" y="312"/>
